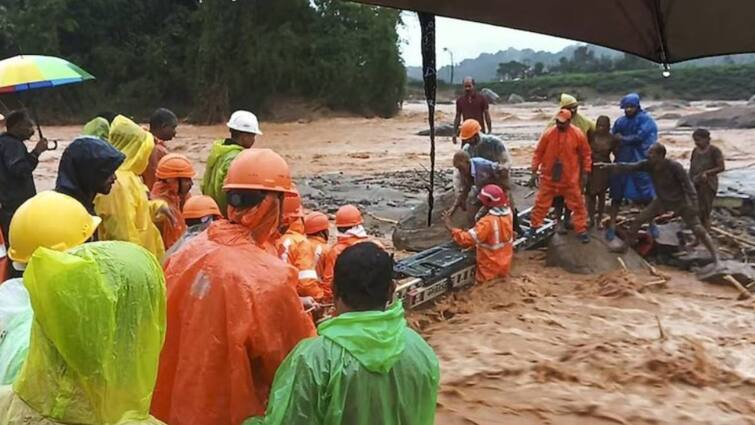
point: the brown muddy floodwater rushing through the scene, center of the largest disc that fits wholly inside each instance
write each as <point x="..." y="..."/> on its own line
<point x="545" y="346"/>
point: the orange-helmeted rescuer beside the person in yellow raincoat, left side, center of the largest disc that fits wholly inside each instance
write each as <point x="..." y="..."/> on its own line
<point x="174" y="173"/>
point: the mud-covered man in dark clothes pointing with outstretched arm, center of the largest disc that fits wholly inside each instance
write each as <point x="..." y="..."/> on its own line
<point x="674" y="192"/>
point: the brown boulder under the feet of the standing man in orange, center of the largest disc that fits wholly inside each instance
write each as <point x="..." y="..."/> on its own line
<point x="570" y="254"/>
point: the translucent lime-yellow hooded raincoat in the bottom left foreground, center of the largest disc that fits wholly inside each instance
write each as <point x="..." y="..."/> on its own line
<point x="101" y="370"/>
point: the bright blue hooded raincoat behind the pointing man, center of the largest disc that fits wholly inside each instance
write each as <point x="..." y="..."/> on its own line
<point x="638" y="133"/>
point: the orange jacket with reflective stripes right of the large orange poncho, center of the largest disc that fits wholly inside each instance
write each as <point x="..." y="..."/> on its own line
<point x="295" y="249"/>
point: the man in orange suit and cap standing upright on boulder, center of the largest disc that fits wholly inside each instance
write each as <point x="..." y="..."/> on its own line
<point x="564" y="161"/>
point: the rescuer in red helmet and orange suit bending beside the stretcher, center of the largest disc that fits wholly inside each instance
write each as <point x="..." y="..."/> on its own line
<point x="492" y="235"/>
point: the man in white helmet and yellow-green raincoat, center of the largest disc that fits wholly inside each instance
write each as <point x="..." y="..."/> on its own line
<point x="244" y="128"/>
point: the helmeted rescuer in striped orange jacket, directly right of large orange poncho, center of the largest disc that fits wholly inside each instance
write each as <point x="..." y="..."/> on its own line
<point x="295" y="249"/>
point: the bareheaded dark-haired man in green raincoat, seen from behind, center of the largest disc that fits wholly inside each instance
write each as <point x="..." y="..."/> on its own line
<point x="366" y="367"/>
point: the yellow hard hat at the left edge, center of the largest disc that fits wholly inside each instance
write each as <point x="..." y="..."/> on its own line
<point x="51" y="220"/>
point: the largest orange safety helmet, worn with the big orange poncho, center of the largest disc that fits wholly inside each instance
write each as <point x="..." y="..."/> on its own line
<point x="259" y="169"/>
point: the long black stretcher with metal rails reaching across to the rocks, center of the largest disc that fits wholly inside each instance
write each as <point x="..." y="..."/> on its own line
<point x="435" y="271"/>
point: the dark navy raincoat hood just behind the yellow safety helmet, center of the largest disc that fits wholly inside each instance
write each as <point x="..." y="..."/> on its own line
<point x="84" y="166"/>
